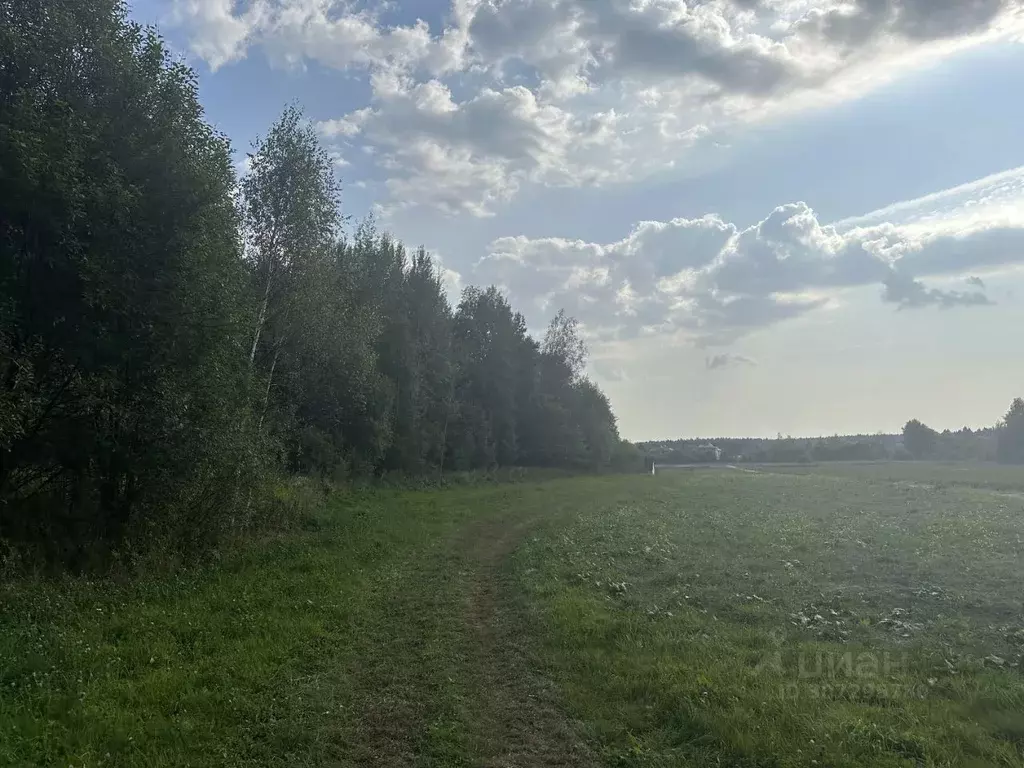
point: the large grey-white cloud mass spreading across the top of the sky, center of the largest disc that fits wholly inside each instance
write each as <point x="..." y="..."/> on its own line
<point x="579" y="93"/>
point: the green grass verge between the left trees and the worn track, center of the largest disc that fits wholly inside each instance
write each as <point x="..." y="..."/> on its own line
<point x="259" y="661"/>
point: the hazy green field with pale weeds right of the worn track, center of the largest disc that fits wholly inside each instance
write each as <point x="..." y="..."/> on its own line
<point x="728" y="618"/>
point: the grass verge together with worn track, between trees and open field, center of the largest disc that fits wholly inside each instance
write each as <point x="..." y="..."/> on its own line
<point x="385" y="638"/>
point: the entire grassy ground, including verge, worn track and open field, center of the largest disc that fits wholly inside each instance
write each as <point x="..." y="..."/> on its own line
<point x="826" y="617"/>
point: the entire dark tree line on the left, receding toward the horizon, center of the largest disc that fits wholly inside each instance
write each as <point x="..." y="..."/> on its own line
<point x="174" y="338"/>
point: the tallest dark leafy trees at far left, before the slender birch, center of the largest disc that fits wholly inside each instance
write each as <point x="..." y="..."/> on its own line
<point x="120" y="286"/>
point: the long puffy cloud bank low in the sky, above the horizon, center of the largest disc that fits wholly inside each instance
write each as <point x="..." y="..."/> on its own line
<point x="713" y="282"/>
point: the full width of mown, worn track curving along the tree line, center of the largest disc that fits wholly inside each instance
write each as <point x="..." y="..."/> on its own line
<point x="457" y="658"/>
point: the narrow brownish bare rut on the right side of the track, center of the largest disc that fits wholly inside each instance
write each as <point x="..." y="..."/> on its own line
<point x="520" y="722"/>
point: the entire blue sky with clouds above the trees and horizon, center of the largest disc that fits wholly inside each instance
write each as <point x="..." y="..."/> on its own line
<point x="770" y="217"/>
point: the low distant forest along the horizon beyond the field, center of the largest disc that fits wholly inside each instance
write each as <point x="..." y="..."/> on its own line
<point x="1003" y="443"/>
